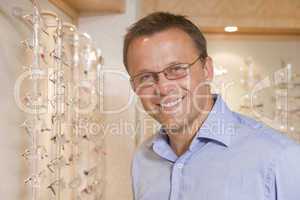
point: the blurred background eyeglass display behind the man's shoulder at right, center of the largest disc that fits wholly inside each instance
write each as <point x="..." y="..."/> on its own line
<point x="272" y="98"/>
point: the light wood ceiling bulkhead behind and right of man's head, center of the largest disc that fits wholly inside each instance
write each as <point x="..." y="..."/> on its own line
<point x="251" y="16"/>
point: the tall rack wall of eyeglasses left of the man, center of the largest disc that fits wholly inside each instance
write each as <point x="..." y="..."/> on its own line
<point x="59" y="94"/>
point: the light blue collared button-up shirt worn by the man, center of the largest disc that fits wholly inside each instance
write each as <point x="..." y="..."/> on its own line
<point x="232" y="157"/>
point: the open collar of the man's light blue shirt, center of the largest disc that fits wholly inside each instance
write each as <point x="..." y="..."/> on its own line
<point x="219" y="126"/>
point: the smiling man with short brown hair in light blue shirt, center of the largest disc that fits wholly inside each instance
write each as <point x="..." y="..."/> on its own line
<point x="203" y="151"/>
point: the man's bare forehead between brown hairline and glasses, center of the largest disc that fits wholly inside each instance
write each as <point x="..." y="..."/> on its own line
<point x="160" y="49"/>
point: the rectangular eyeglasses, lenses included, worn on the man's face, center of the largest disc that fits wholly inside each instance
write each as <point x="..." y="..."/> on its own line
<point x="173" y="72"/>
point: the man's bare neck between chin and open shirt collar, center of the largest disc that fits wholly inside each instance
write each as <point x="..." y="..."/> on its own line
<point x="180" y="140"/>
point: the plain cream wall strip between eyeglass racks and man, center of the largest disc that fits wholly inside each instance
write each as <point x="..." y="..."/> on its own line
<point x="107" y="32"/>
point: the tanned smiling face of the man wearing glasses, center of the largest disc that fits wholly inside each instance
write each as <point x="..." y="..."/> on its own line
<point x="173" y="103"/>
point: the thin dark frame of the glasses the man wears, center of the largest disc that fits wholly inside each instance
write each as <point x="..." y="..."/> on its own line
<point x="187" y="67"/>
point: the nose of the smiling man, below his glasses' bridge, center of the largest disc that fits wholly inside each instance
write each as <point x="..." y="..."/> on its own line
<point x="165" y="86"/>
